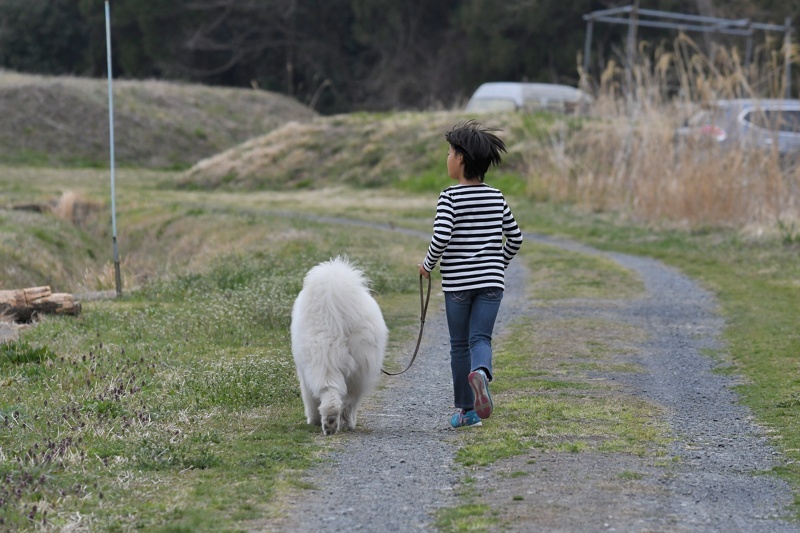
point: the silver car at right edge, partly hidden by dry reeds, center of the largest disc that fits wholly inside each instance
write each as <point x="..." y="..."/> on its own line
<point x="746" y="123"/>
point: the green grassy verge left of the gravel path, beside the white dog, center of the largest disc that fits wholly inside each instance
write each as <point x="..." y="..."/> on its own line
<point x="175" y="407"/>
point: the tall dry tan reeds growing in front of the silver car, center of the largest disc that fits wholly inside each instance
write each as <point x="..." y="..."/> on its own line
<point x="625" y="157"/>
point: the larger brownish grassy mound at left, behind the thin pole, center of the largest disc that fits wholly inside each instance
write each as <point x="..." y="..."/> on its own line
<point x="64" y="120"/>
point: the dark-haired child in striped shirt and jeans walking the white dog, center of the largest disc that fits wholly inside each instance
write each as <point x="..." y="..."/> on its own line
<point x="471" y="220"/>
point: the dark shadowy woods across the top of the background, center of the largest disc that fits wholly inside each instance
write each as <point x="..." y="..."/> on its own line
<point x="336" y="55"/>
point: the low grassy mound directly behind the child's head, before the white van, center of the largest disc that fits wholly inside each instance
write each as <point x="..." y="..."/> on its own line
<point x="366" y="150"/>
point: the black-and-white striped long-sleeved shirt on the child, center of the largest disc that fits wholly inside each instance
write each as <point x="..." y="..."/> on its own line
<point x="471" y="221"/>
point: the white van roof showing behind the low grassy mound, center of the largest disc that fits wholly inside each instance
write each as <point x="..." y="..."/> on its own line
<point x="516" y="96"/>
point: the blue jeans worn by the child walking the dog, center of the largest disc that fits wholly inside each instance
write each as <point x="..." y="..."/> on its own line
<point x="470" y="319"/>
